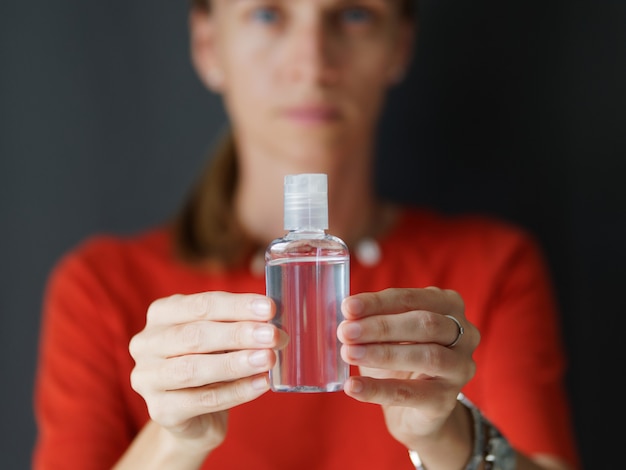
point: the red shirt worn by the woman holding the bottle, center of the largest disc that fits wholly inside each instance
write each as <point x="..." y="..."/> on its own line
<point x="97" y="298"/>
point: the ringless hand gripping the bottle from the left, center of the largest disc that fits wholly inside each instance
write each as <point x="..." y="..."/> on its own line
<point x="200" y="355"/>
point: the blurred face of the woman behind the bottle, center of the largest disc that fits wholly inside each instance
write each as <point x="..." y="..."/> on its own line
<point x="305" y="76"/>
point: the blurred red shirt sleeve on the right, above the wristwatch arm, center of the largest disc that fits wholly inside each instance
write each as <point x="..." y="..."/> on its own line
<point x="523" y="387"/>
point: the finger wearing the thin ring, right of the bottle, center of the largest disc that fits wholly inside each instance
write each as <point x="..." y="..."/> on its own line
<point x="415" y="327"/>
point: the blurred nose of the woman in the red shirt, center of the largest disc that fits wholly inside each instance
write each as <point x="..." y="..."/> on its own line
<point x="312" y="54"/>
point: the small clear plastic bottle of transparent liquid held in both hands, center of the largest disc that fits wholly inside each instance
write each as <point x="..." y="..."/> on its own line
<point x="307" y="275"/>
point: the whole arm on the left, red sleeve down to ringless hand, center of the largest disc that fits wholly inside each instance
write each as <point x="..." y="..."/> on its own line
<point x="82" y="383"/>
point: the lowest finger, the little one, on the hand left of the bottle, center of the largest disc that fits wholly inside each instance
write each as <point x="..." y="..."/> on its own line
<point x="175" y="407"/>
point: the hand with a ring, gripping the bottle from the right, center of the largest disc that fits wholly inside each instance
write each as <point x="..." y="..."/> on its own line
<point x="401" y="340"/>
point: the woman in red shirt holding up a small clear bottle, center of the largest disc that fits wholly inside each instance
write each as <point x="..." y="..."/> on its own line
<point x="303" y="82"/>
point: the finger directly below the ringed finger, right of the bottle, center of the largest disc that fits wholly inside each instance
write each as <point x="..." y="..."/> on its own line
<point x="431" y="360"/>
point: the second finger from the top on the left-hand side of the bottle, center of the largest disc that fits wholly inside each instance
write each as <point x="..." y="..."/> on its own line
<point x="205" y="337"/>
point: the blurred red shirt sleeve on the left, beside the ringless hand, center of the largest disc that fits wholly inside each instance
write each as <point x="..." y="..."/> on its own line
<point x="79" y="410"/>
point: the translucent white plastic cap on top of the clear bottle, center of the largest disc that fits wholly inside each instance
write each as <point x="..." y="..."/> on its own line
<point x="306" y="201"/>
